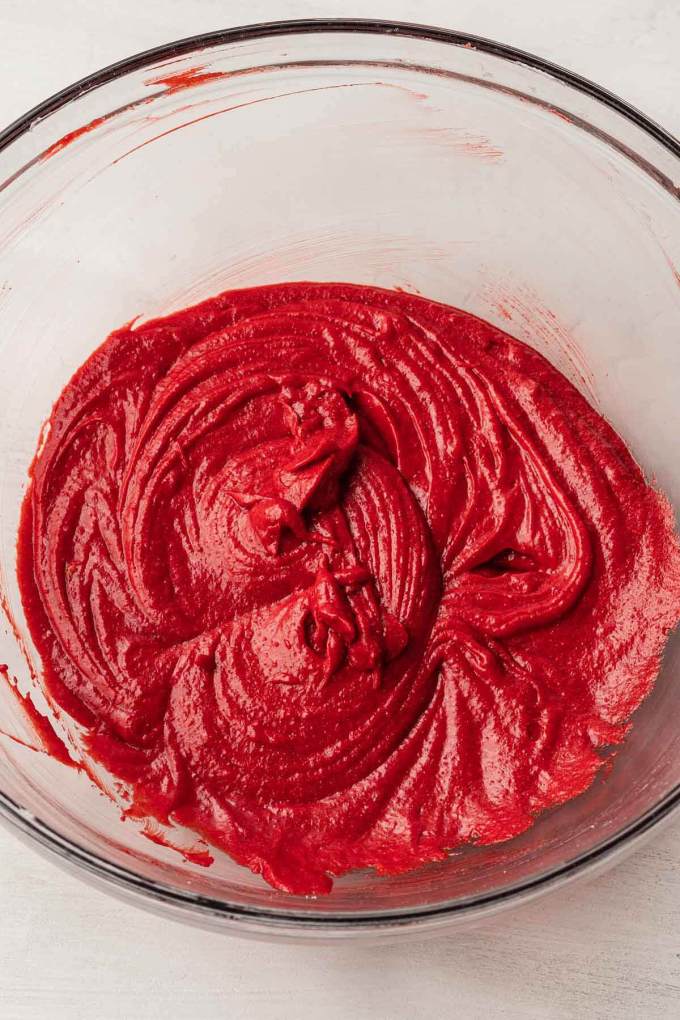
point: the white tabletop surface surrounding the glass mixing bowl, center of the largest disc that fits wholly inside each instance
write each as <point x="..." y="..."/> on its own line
<point x="607" y="949"/>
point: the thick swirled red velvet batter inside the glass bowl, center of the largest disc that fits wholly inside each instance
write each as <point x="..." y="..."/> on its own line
<point x="340" y="577"/>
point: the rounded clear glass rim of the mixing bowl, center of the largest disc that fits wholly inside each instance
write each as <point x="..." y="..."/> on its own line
<point x="70" y="853"/>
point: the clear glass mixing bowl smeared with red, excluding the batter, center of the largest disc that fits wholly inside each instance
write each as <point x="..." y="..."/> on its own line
<point x="370" y="152"/>
